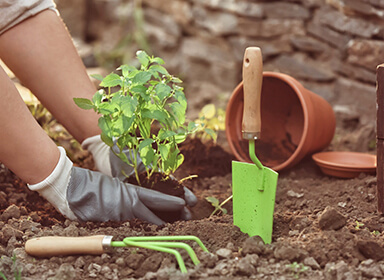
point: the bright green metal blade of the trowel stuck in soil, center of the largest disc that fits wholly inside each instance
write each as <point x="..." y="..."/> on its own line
<point x="254" y="192"/>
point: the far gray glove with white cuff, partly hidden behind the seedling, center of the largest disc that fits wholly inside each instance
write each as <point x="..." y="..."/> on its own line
<point x="108" y="163"/>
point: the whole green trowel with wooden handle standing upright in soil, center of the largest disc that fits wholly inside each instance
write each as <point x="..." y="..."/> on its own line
<point x="254" y="185"/>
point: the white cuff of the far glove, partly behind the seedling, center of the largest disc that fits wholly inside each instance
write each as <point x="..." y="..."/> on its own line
<point x="100" y="152"/>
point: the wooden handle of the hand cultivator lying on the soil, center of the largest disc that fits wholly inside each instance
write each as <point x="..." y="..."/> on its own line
<point x="50" y="246"/>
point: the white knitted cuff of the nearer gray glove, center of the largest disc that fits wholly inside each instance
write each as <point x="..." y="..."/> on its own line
<point x="54" y="187"/>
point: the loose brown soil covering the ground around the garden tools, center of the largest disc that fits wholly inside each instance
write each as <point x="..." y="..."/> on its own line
<point x="324" y="228"/>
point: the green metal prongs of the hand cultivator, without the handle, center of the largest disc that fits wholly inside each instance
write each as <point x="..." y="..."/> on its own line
<point x="159" y="243"/>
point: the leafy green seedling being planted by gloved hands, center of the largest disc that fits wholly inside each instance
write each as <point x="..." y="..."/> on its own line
<point x="133" y="100"/>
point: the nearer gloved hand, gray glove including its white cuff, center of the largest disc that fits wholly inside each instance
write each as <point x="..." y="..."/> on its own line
<point x="92" y="196"/>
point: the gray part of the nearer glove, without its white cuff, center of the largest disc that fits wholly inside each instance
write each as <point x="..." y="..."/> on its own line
<point x="93" y="196"/>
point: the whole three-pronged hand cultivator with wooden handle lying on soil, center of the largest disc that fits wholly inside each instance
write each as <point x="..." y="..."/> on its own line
<point x="50" y="246"/>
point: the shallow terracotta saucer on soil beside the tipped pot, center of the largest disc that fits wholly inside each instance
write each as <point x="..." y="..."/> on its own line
<point x="345" y="164"/>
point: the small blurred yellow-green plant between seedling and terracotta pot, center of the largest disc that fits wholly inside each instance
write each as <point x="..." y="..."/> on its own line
<point x="209" y="123"/>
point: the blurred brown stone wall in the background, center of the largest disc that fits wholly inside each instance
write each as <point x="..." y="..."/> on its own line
<point x="331" y="46"/>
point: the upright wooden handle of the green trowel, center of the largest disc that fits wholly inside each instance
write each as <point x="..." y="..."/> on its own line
<point x="252" y="81"/>
